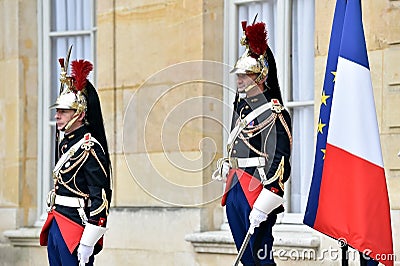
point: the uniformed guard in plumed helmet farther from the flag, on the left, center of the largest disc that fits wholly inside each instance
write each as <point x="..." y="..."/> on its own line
<point x="78" y="205"/>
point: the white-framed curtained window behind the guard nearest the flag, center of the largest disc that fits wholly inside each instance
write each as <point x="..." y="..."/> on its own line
<point x="290" y="28"/>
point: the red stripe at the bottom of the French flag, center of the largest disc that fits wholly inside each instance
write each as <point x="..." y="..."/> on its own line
<point x="346" y="211"/>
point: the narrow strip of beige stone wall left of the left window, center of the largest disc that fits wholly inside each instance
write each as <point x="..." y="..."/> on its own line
<point x="18" y="113"/>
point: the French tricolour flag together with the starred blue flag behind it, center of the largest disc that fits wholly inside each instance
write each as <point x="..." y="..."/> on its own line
<point x="348" y="197"/>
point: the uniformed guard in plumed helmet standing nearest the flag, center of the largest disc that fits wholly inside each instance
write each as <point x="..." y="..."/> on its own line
<point x="258" y="148"/>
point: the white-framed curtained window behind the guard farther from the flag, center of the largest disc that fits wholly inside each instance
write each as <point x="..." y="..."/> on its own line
<point x="64" y="22"/>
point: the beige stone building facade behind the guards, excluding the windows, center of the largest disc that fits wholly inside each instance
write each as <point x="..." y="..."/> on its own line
<point x="160" y="71"/>
